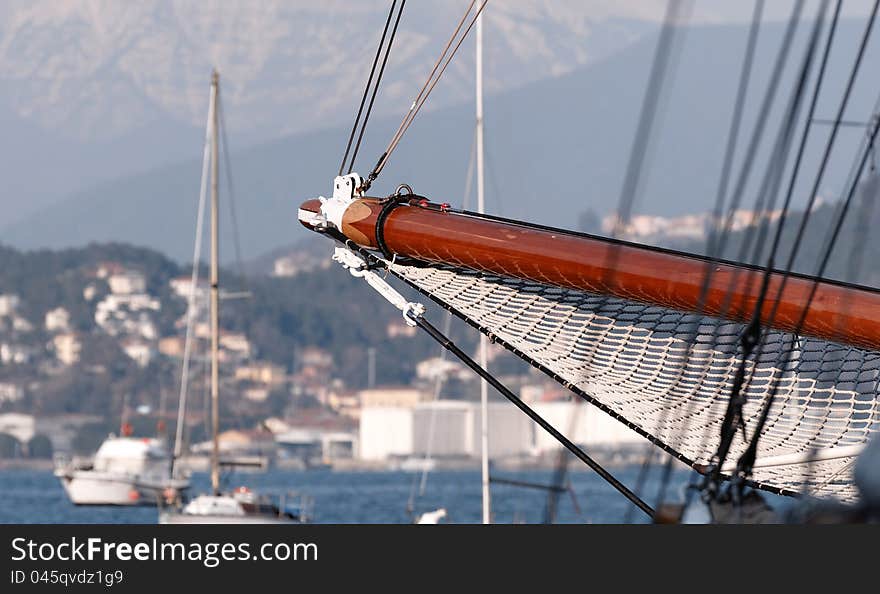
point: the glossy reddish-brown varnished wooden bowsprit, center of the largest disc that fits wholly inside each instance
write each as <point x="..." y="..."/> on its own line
<point x="839" y="312"/>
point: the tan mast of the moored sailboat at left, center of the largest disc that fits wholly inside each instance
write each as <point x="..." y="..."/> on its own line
<point x="215" y="301"/>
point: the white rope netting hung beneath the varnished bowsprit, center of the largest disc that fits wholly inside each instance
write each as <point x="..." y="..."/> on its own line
<point x="634" y="361"/>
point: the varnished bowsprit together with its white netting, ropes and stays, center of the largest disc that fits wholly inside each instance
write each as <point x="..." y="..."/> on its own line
<point x="680" y="348"/>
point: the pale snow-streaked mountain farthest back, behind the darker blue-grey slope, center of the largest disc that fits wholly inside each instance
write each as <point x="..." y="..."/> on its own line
<point x="93" y="90"/>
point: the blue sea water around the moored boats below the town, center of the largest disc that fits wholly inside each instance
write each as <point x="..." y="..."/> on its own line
<point x="35" y="496"/>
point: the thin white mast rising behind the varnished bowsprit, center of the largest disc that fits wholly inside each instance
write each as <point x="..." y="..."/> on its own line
<point x="481" y="207"/>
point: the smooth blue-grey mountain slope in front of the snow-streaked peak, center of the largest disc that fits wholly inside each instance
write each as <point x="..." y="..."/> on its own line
<point x="555" y="147"/>
